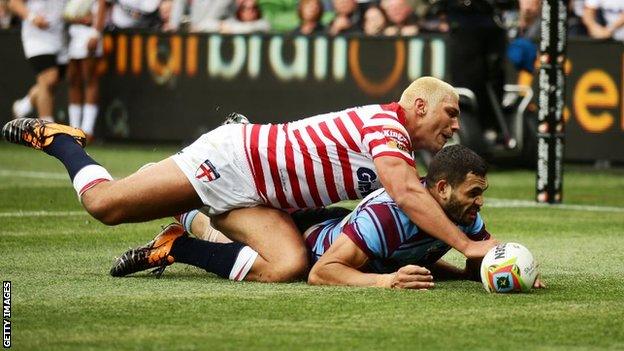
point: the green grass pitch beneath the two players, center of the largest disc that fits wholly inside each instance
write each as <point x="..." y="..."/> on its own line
<point x="57" y="259"/>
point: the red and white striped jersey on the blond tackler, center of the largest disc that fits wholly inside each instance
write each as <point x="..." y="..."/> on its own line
<point x="326" y="158"/>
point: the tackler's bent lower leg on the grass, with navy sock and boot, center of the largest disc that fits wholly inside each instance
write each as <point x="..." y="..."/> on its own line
<point x="273" y="252"/>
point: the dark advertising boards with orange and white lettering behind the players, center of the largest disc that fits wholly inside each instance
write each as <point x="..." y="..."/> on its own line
<point x="159" y="87"/>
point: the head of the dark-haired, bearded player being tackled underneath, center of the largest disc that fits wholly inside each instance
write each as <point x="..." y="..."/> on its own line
<point x="457" y="180"/>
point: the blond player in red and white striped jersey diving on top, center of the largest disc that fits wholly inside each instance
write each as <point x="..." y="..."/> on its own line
<point x="245" y="175"/>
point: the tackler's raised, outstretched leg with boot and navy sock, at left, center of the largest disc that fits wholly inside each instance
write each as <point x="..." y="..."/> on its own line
<point x="155" y="192"/>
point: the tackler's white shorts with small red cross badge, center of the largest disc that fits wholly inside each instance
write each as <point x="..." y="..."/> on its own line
<point x="217" y="167"/>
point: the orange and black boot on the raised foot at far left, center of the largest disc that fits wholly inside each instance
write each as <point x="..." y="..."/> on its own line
<point x="38" y="133"/>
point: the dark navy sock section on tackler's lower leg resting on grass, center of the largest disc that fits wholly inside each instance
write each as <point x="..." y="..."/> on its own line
<point x="218" y="258"/>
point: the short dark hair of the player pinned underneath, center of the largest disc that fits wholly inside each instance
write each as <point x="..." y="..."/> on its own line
<point x="453" y="163"/>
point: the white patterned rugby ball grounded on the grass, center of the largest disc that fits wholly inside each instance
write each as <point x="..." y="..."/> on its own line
<point x="508" y="268"/>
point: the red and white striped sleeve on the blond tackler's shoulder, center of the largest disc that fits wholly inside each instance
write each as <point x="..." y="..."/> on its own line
<point x="383" y="135"/>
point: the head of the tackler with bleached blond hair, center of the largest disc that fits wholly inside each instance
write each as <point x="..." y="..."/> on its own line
<point x="432" y="109"/>
